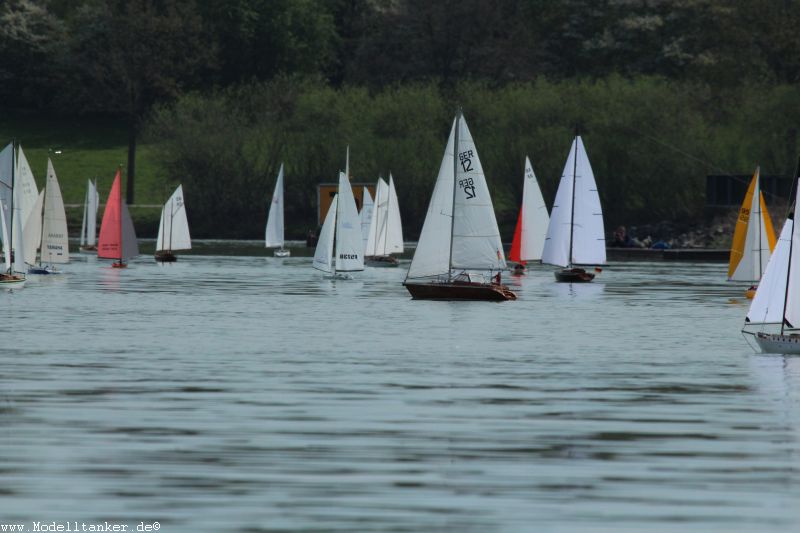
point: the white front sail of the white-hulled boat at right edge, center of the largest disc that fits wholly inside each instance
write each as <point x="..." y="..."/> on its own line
<point x="767" y="304"/>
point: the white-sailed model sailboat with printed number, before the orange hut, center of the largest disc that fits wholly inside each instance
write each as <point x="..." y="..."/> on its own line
<point x="340" y="236"/>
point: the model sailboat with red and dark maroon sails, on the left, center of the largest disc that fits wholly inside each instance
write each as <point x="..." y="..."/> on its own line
<point x="117" y="236"/>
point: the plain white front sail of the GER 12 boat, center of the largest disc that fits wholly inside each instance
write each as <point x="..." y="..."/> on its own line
<point x="432" y="256"/>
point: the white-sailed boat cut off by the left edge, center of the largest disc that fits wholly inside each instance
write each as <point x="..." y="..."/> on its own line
<point x="13" y="273"/>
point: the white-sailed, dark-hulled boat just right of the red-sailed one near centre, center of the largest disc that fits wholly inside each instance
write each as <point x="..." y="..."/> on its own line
<point x="575" y="235"/>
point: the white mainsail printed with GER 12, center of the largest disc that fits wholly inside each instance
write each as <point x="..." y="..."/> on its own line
<point x="476" y="237"/>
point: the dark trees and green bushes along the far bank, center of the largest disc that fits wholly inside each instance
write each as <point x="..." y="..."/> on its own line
<point x="710" y="82"/>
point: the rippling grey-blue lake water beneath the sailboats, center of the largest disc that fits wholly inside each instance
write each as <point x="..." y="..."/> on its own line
<point x="245" y="394"/>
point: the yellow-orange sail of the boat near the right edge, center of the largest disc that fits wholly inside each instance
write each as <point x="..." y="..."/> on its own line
<point x="740" y="234"/>
